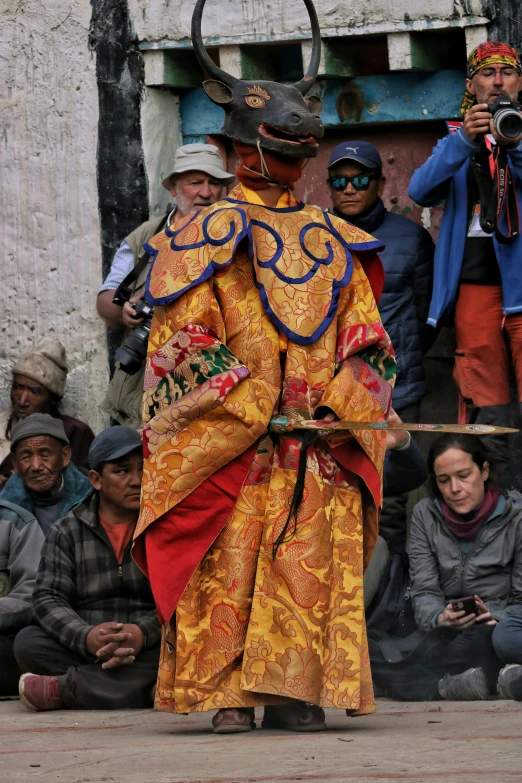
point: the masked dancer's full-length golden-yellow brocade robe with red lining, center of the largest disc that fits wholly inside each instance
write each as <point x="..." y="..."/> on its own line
<point x="238" y="339"/>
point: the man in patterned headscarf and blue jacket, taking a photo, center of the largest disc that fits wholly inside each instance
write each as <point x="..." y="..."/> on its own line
<point x="477" y="272"/>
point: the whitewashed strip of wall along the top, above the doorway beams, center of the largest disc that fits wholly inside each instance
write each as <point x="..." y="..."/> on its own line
<point x="163" y="19"/>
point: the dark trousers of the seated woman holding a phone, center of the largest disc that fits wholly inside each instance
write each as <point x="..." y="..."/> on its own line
<point x="441" y="651"/>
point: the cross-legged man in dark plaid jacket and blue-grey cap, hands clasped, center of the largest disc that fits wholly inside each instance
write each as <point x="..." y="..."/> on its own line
<point x="96" y="645"/>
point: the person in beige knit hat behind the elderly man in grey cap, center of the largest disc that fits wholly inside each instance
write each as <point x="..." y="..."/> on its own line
<point x="38" y="386"/>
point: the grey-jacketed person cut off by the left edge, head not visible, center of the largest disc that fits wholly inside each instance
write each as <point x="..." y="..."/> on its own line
<point x="21" y="540"/>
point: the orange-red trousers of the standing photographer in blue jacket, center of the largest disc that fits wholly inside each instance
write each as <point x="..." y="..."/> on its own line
<point x="487" y="343"/>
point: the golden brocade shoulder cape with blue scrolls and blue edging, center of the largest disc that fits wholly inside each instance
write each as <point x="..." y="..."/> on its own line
<point x="301" y="258"/>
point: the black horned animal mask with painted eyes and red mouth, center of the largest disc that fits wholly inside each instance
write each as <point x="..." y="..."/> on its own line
<point x="276" y="117"/>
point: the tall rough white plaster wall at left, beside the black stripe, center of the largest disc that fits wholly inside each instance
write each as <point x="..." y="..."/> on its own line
<point x="49" y="227"/>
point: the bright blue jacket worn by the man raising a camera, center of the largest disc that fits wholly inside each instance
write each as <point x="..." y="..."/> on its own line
<point x="445" y="176"/>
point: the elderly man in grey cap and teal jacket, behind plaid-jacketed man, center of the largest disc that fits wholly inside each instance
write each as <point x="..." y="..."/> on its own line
<point x="45" y="481"/>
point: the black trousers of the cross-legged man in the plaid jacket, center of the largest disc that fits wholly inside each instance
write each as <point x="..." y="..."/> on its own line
<point x="83" y="684"/>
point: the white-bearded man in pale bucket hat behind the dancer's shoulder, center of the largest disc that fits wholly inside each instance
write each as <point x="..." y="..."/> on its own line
<point x="196" y="180"/>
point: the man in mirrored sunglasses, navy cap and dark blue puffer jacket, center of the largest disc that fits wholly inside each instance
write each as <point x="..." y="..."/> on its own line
<point x="356" y="185"/>
